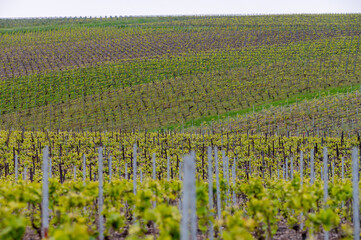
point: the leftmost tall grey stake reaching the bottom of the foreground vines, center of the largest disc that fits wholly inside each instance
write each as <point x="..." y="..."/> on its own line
<point x="45" y="196"/>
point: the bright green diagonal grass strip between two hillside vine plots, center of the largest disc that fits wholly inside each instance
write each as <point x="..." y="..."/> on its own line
<point x="280" y="103"/>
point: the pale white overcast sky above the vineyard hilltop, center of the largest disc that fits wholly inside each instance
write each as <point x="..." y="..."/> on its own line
<point x="56" y="8"/>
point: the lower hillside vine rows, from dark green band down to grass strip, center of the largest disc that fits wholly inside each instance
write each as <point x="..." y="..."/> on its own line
<point x="171" y="101"/>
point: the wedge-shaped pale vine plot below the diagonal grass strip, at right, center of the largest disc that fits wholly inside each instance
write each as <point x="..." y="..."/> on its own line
<point x="329" y="115"/>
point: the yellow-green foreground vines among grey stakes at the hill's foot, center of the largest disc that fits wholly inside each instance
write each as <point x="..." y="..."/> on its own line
<point x="245" y="164"/>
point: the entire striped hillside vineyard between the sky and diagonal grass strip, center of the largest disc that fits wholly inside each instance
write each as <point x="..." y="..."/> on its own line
<point x="78" y="64"/>
